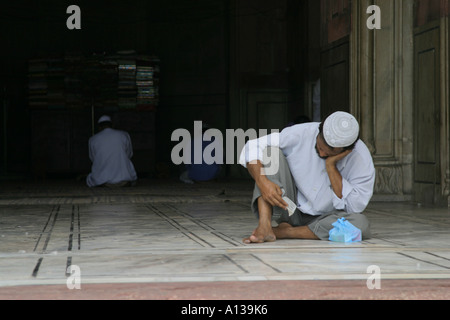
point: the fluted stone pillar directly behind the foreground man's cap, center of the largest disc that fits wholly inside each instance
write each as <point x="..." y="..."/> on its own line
<point x="382" y="91"/>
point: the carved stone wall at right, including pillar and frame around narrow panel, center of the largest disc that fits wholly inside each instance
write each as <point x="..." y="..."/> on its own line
<point x="382" y="93"/>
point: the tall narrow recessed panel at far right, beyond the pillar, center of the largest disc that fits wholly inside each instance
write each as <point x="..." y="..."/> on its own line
<point x="427" y="114"/>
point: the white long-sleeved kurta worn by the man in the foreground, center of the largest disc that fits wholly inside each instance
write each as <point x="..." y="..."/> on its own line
<point x="315" y="195"/>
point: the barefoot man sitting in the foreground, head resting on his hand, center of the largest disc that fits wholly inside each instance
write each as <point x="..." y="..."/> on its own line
<point x="323" y="168"/>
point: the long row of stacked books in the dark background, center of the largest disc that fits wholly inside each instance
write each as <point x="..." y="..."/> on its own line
<point x="125" y="81"/>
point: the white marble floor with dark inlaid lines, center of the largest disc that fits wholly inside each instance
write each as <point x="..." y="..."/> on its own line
<point x="118" y="239"/>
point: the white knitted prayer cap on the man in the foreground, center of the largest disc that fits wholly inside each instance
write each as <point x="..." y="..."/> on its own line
<point x="340" y="130"/>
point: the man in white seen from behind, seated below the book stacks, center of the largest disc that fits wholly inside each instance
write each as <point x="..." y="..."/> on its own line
<point x="110" y="151"/>
